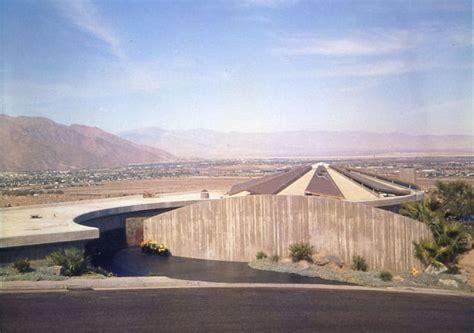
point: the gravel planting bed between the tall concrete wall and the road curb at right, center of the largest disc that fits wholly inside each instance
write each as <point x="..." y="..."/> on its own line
<point x="371" y="278"/>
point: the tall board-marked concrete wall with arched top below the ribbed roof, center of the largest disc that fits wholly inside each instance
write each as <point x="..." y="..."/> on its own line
<point x="235" y="229"/>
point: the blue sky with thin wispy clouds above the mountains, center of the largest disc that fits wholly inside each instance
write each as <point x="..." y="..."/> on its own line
<point x="240" y="65"/>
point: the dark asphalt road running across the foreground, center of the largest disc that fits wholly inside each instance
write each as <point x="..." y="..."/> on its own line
<point x="223" y="310"/>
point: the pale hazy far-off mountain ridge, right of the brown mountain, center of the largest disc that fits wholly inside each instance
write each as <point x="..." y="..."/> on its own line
<point x="214" y="144"/>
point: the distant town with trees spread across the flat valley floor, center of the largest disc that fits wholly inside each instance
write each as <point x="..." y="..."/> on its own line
<point x="53" y="182"/>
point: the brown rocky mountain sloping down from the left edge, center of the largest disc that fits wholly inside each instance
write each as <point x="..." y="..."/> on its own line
<point x="29" y="143"/>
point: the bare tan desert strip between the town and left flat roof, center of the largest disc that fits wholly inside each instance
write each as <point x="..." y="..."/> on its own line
<point x="123" y="188"/>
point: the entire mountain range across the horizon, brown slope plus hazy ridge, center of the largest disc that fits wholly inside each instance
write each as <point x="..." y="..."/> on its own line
<point x="34" y="143"/>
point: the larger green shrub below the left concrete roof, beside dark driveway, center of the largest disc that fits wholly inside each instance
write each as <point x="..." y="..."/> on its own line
<point x="72" y="259"/>
